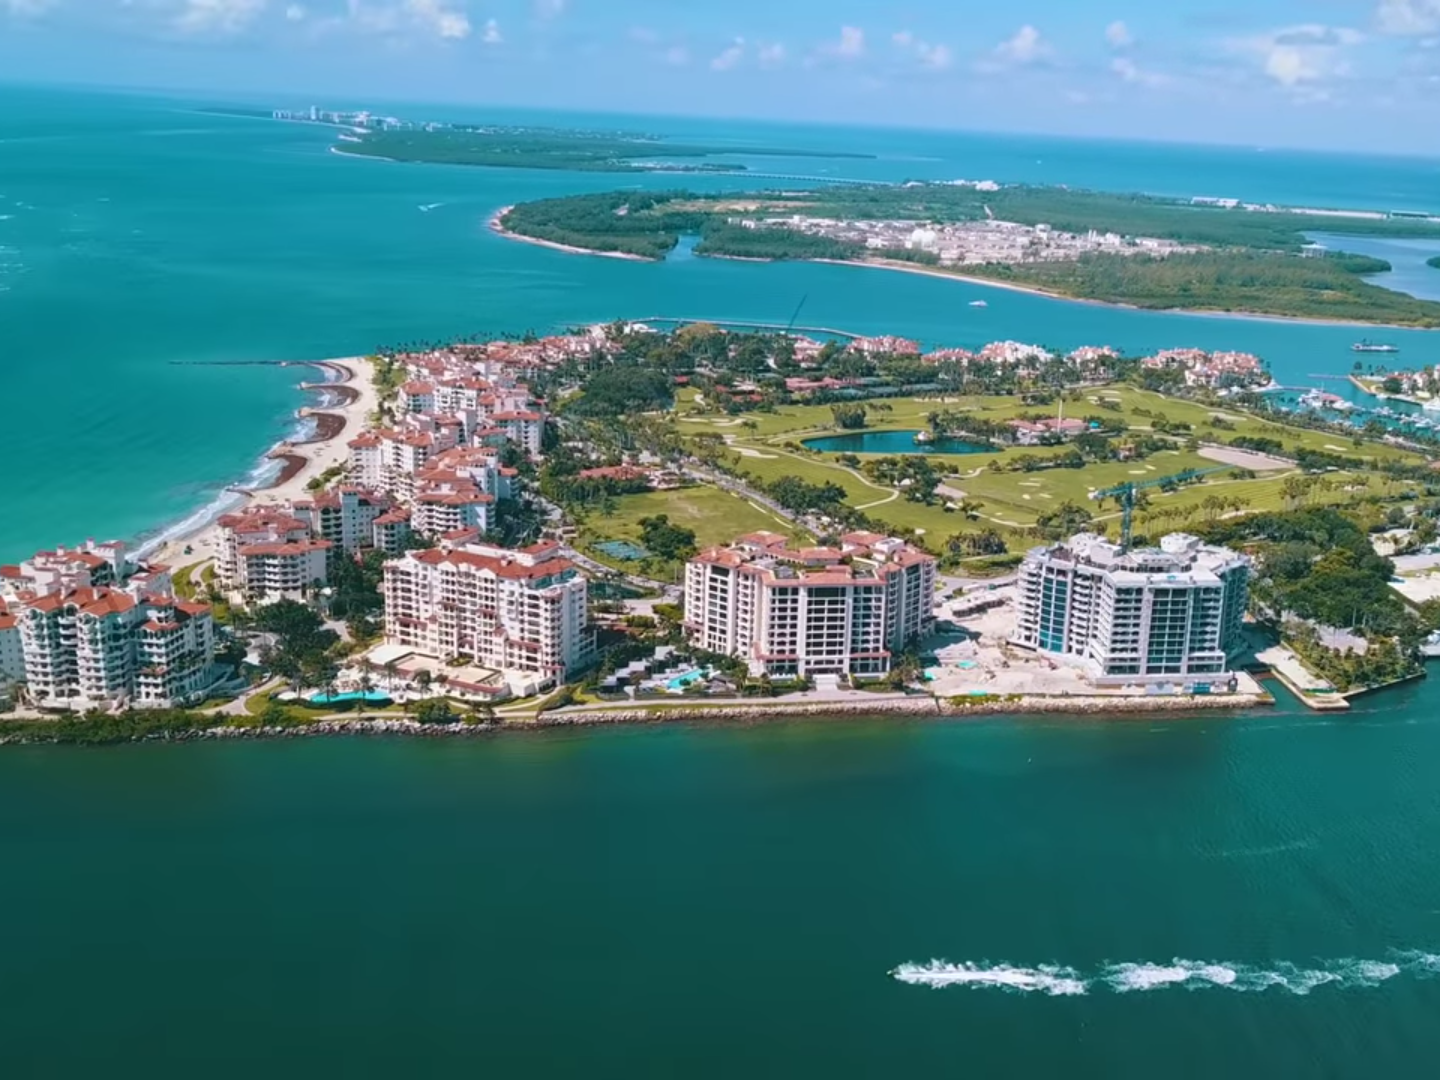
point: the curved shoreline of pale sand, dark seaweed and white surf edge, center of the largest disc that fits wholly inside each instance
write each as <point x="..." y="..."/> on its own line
<point x="284" y="470"/>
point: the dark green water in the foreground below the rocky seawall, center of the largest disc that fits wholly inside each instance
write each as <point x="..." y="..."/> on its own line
<point x="721" y="902"/>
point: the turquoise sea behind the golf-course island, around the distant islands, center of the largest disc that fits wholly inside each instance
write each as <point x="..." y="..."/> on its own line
<point x="139" y="233"/>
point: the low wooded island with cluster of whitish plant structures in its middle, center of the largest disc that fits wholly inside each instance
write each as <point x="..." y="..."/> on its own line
<point x="1140" y="251"/>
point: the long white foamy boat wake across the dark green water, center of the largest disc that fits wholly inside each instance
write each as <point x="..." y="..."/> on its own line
<point x="1141" y="977"/>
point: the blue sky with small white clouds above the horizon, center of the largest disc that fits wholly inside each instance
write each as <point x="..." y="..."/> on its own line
<point x="1321" y="74"/>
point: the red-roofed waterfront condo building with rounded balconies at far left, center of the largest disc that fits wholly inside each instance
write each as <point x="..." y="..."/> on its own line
<point x="104" y="647"/>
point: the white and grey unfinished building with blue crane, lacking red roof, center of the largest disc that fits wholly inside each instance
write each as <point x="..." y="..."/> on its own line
<point x="1150" y="616"/>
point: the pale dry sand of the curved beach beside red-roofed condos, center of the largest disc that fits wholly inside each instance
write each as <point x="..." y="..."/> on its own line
<point x="351" y="400"/>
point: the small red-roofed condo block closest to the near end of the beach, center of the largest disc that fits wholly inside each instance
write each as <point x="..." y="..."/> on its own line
<point x="267" y="554"/>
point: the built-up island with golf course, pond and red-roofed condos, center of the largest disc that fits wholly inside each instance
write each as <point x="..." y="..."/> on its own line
<point x="534" y="532"/>
